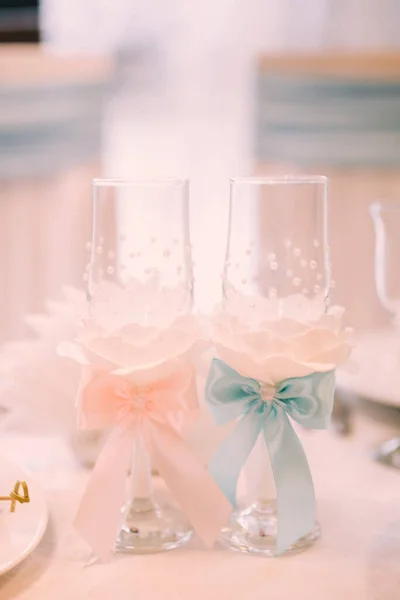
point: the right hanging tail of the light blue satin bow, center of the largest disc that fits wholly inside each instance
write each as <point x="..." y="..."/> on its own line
<point x="293" y="483"/>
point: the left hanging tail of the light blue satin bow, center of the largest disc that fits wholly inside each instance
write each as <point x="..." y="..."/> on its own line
<point x="230" y="456"/>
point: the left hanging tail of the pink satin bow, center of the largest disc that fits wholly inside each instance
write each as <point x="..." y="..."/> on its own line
<point x="99" y="512"/>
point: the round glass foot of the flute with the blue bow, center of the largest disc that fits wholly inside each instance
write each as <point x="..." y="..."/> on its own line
<point x="254" y="530"/>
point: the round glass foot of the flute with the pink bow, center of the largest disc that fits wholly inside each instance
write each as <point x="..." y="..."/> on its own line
<point x="149" y="528"/>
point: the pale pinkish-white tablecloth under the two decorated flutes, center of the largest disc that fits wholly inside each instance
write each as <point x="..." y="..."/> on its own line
<point x="357" y="557"/>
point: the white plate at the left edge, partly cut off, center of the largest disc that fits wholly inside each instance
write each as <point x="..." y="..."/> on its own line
<point x="21" y="531"/>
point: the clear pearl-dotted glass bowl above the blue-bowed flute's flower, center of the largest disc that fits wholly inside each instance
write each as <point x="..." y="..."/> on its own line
<point x="277" y="246"/>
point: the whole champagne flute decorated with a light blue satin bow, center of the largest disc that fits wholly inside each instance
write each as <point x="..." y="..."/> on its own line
<point x="275" y="284"/>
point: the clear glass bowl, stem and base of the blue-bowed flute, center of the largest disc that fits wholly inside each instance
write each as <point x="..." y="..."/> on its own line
<point x="277" y="269"/>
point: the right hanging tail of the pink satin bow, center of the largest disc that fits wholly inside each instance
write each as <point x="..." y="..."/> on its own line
<point x="188" y="480"/>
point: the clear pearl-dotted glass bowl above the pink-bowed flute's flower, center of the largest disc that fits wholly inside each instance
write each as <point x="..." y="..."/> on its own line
<point x="140" y="264"/>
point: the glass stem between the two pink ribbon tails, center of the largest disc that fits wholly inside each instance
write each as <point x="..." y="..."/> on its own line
<point x="140" y="485"/>
